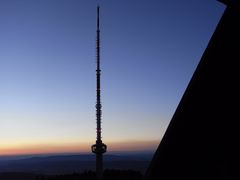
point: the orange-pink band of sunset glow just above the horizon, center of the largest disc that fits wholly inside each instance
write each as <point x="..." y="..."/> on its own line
<point x="75" y="147"/>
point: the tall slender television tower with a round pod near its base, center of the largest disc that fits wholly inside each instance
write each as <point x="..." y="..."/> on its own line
<point x="99" y="148"/>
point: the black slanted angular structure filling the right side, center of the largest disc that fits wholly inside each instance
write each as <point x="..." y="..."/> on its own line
<point x="203" y="138"/>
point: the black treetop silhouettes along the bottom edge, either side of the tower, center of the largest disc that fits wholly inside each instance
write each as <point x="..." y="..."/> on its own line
<point x="109" y="174"/>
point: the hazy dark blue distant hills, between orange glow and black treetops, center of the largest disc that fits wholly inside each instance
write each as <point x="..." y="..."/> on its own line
<point x="66" y="164"/>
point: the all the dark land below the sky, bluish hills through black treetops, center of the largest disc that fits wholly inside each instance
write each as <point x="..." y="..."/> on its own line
<point x="73" y="167"/>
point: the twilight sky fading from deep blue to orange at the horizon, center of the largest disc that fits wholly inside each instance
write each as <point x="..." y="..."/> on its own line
<point x="149" y="51"/>
